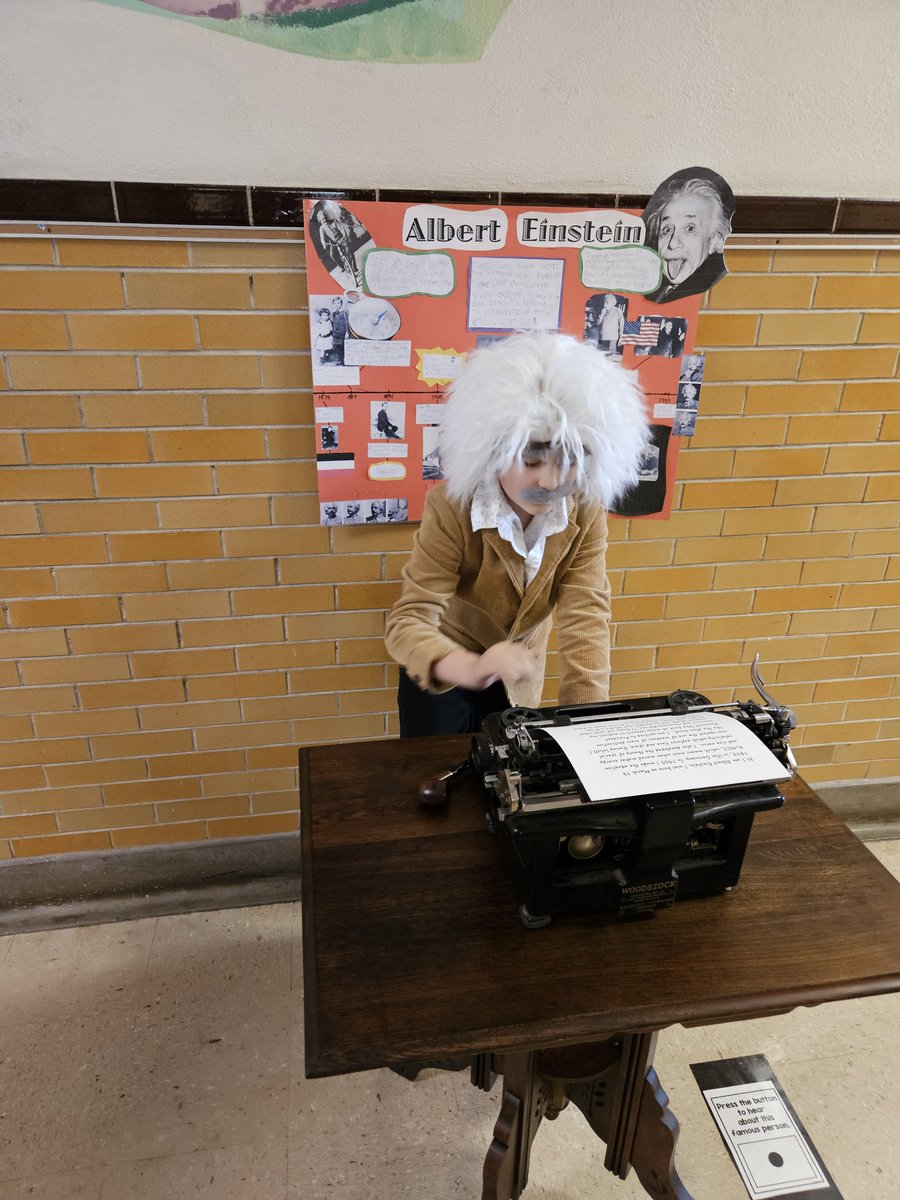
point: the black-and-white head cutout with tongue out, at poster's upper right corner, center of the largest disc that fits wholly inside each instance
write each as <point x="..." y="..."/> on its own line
<point x="688" y="219"/>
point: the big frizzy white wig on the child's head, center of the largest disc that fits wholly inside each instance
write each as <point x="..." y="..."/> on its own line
<point x="545" y="388"/>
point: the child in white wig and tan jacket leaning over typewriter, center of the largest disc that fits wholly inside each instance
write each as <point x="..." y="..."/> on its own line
<point x="541" y="435"/>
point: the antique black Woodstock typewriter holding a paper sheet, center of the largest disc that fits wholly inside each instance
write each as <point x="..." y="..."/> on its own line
<point x="632" y="853"/>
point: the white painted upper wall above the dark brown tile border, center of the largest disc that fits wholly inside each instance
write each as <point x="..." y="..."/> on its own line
<point x="781" y="97"/>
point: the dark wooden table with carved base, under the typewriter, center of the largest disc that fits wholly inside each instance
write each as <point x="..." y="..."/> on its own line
<point x="413" y="952"/>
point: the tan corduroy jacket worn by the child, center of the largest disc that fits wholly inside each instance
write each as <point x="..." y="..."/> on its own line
<point x="467" y="590"/>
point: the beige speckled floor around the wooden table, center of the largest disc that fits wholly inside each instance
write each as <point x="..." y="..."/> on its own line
<point x="163" y="1059"/>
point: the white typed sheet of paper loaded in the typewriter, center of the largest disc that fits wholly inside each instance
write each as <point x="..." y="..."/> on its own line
<point x="650" y="755"/>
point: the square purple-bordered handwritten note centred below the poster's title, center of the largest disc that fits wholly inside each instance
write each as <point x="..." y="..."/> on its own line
<point x="515" y="293"/>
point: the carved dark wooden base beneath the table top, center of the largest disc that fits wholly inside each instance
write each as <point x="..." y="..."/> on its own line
<point x="616" y="1089"/>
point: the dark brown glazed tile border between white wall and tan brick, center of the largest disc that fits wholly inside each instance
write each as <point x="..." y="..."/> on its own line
<point x="238" y="206"/>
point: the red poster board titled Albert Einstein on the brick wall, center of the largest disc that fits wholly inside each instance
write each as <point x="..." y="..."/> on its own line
<point x="400" y="295"/>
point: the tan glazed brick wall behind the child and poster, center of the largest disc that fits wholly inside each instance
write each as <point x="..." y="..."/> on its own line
<point x="176" y="623"/>
